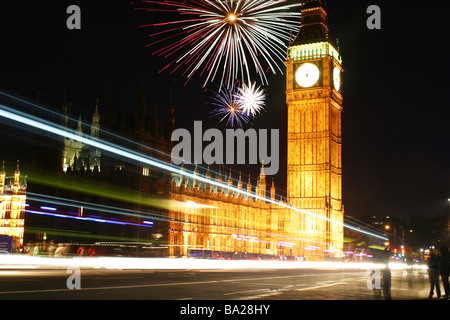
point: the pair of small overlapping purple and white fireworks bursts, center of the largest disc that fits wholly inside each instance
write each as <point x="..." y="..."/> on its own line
<point x="238" y="106"/>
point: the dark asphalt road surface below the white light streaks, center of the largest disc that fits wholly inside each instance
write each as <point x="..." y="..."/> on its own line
<point x="271" y="284"/>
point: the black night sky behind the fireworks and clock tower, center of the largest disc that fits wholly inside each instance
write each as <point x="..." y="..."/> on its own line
<point x="396" y="132"/>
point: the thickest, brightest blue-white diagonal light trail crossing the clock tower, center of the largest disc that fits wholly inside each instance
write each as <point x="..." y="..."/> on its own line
<point x="52" y="128"/>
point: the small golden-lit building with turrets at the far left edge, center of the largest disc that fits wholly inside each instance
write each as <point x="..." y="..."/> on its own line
<point x="12" y="205"/>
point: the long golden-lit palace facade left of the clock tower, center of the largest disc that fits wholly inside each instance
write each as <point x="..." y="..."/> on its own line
<point x="213" y="218"/>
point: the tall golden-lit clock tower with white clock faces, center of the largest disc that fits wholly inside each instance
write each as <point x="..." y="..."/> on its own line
<point x="314" y="165"/>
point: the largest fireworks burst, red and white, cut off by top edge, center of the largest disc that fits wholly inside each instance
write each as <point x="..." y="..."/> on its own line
<point x="224" y="36"/>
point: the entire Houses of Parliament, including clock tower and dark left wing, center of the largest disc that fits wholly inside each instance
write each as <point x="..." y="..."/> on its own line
<point x="188" y="215"/>
